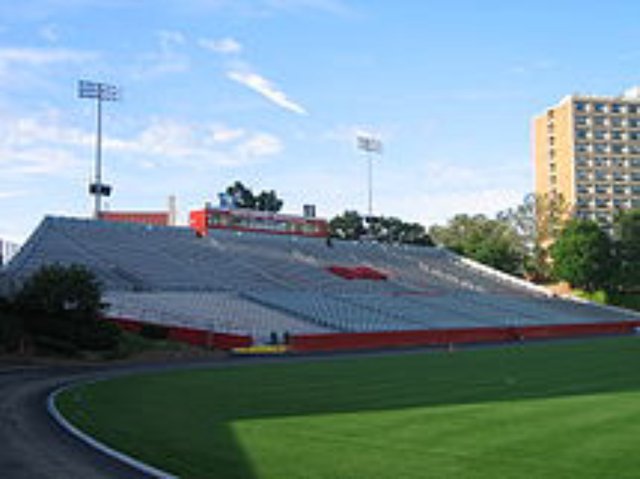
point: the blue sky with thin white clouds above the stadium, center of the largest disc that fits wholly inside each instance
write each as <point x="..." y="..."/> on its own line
<point x="273" y="93"/>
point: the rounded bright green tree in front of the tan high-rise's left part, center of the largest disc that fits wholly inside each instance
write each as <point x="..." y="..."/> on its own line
<point x="582" y="256"/>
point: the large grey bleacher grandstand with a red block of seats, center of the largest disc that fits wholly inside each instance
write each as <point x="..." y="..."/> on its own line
<point x="275" y="287"/>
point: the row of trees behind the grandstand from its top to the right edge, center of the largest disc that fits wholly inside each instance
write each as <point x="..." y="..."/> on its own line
<point x="537" y="240"/>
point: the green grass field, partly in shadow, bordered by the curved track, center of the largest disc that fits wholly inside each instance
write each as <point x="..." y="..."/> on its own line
<point x="555" y="410"/>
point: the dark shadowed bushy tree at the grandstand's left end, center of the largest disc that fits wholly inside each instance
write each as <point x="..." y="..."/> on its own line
<point x="61" y="305"/>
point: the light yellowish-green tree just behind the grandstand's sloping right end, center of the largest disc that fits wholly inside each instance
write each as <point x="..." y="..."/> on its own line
<point x="490" y="241"/>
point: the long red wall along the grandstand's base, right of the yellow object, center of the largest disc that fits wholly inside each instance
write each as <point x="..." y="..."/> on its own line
<point x="381" y="340"/>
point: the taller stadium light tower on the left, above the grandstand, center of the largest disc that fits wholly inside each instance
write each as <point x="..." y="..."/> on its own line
<point x="99" y="92"/>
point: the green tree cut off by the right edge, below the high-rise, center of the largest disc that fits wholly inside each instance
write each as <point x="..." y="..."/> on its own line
<point x="626" y="236"/>
